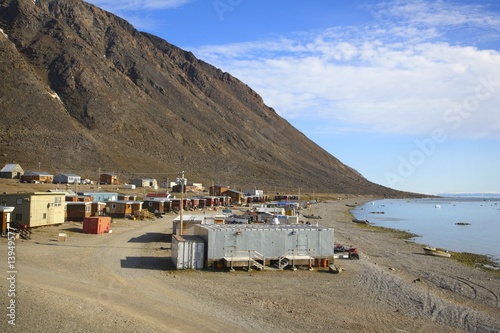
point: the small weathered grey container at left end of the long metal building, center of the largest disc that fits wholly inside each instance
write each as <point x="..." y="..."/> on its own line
<point x="188" y="252"/>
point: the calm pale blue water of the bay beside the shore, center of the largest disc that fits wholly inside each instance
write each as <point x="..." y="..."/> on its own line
<point x="434" y="221"/>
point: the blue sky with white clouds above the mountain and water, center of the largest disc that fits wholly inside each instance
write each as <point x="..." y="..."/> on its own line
<point x="405" y="92"/>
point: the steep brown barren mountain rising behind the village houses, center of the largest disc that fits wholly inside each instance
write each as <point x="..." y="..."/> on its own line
<point x="82" y="90"/>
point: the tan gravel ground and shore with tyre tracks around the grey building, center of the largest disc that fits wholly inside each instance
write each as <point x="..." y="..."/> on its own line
<point x="123" y="282"/>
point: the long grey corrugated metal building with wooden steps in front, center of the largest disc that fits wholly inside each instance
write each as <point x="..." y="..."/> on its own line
<point x="257" y="245"/>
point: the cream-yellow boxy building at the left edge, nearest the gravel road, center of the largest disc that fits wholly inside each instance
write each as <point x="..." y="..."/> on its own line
<point x="37" y="208"/>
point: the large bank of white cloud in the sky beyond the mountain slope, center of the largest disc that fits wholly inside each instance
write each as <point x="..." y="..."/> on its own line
<point x="387" y="77"/>
